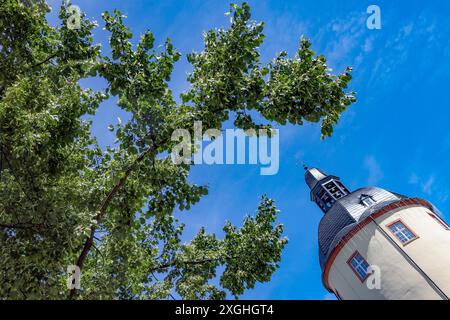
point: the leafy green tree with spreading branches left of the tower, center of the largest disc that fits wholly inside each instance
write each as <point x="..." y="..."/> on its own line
<point x="64" y="200"/>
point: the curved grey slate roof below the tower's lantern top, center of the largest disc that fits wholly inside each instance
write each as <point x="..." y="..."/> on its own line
<point x="345" y="214"/>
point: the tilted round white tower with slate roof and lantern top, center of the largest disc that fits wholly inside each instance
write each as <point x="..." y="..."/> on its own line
<point x="376" y="244"/>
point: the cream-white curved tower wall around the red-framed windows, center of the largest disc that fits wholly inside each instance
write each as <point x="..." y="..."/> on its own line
<point x="415" y="270"/>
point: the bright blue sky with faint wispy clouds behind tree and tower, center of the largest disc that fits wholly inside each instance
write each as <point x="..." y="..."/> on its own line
<point x="396" y="136"/>
